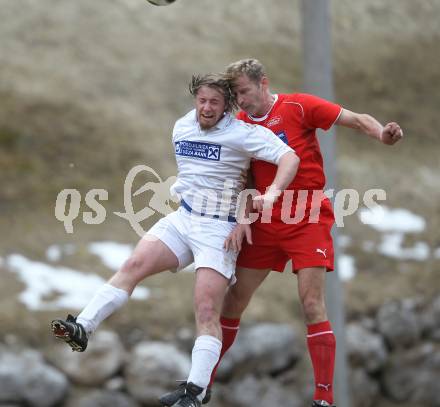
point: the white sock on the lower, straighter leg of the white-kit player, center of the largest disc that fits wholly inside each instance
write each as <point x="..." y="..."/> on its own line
<point x="205" y="355"/>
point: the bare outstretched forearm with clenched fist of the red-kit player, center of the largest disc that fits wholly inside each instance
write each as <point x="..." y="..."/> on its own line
<point x="389" y="134"/>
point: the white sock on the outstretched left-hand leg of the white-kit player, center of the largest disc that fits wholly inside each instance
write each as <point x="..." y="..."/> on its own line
<point x="106" y="301"/>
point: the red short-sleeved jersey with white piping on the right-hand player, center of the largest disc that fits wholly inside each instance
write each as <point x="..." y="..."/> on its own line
<point x="294" y="118"/>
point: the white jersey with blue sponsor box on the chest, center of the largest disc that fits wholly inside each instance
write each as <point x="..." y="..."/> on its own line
<point x="212" y="164"/>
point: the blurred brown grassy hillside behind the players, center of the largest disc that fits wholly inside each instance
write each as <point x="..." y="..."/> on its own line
<point x="95" y="87"/>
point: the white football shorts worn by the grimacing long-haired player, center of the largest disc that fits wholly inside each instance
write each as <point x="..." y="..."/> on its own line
<point x="198" y="239"/>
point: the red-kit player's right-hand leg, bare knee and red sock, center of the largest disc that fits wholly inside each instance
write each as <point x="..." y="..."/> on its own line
<point x="320" y="338"/>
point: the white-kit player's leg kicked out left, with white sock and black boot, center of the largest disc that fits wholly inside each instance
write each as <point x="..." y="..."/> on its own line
<point x="149" y="257"/>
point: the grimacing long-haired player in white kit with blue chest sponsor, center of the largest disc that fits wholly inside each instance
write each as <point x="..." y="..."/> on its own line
<point x="213" y="152"/>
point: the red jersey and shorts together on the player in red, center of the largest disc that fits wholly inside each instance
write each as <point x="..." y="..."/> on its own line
<point x="294" y="118"/>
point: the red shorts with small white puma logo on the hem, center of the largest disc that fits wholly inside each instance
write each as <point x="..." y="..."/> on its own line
<point x="306" y="244"/>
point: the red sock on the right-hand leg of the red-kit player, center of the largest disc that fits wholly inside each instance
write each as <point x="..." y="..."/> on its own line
<point x="322" y="348"/>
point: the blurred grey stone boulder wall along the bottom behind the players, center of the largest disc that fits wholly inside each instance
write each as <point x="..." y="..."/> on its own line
<point x="394" y="357"/>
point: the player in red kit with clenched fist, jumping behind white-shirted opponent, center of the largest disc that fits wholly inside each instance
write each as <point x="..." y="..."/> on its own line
<point x="298" y="227"/>
